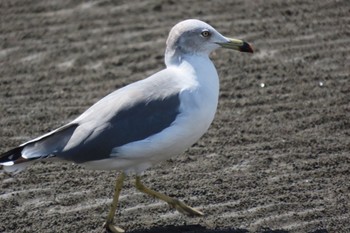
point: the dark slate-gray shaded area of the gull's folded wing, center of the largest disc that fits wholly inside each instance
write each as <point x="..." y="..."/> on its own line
<point x="131" y="123"/>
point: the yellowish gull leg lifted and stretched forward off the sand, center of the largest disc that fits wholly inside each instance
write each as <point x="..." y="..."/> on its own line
<point x="174" y="203"/>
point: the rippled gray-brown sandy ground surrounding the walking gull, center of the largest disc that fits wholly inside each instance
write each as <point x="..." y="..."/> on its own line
<point x="276" y="158"/>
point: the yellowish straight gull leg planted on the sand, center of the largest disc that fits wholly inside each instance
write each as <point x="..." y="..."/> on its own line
<point x="108" y="225"/>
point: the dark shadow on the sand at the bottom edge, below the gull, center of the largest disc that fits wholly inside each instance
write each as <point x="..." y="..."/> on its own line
<point x="200" y="229"/>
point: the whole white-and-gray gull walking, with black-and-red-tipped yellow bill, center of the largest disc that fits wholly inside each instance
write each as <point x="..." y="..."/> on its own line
<point x="145" y="122"/>
